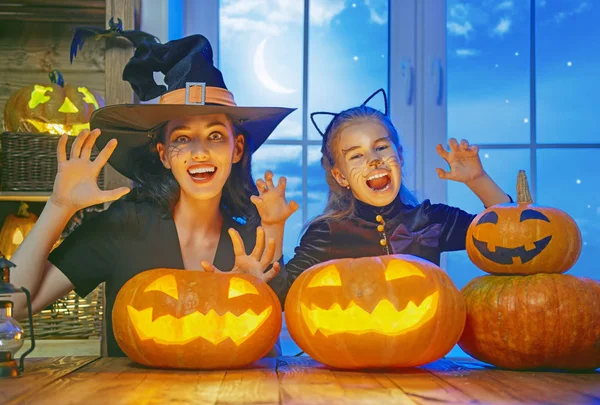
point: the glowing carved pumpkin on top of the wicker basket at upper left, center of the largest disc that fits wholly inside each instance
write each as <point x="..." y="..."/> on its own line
<point x="52" y="108"/>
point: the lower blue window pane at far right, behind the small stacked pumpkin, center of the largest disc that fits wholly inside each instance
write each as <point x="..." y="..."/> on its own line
<point x="573" y="188"/>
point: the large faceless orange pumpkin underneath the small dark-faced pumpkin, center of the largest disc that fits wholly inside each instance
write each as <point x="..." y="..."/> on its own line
<point x="541" y="321"/>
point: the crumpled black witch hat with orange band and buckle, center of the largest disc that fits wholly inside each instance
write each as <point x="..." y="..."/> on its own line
<point x="195" y="87"/>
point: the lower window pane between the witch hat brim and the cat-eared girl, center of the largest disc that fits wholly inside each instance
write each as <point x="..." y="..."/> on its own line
<point x="283" y="160"/>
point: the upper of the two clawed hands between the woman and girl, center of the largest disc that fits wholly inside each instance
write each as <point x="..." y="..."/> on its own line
<point x="271" y="204"/>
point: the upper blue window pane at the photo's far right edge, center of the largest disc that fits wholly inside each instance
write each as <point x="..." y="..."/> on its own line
<point x="568" y="52"/>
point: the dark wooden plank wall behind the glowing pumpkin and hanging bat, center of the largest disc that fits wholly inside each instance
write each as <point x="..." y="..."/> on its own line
<point x="37" y="39"/>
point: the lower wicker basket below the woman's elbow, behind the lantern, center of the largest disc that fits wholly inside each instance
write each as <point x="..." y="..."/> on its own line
<point x="71" y="317"/>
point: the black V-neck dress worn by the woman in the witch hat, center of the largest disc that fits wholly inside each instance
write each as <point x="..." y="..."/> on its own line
<point x="131" y="237"/>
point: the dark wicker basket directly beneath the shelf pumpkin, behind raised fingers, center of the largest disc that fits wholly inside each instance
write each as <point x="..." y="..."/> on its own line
<point x="29" y="161"/>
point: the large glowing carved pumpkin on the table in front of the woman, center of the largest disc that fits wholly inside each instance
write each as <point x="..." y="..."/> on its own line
<point x="191" y="319"/>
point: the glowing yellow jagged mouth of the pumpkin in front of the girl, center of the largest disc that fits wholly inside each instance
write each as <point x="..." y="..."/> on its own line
<point x="385" y="318"/>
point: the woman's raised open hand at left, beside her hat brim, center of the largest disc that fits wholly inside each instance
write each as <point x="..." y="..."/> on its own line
<point x="75" y="186"/>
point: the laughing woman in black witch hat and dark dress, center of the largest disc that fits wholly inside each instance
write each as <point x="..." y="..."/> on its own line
<point x="195" y="205"/>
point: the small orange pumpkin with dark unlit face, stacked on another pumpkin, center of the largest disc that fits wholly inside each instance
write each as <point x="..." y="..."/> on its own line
<point x="523" y="237"/>
